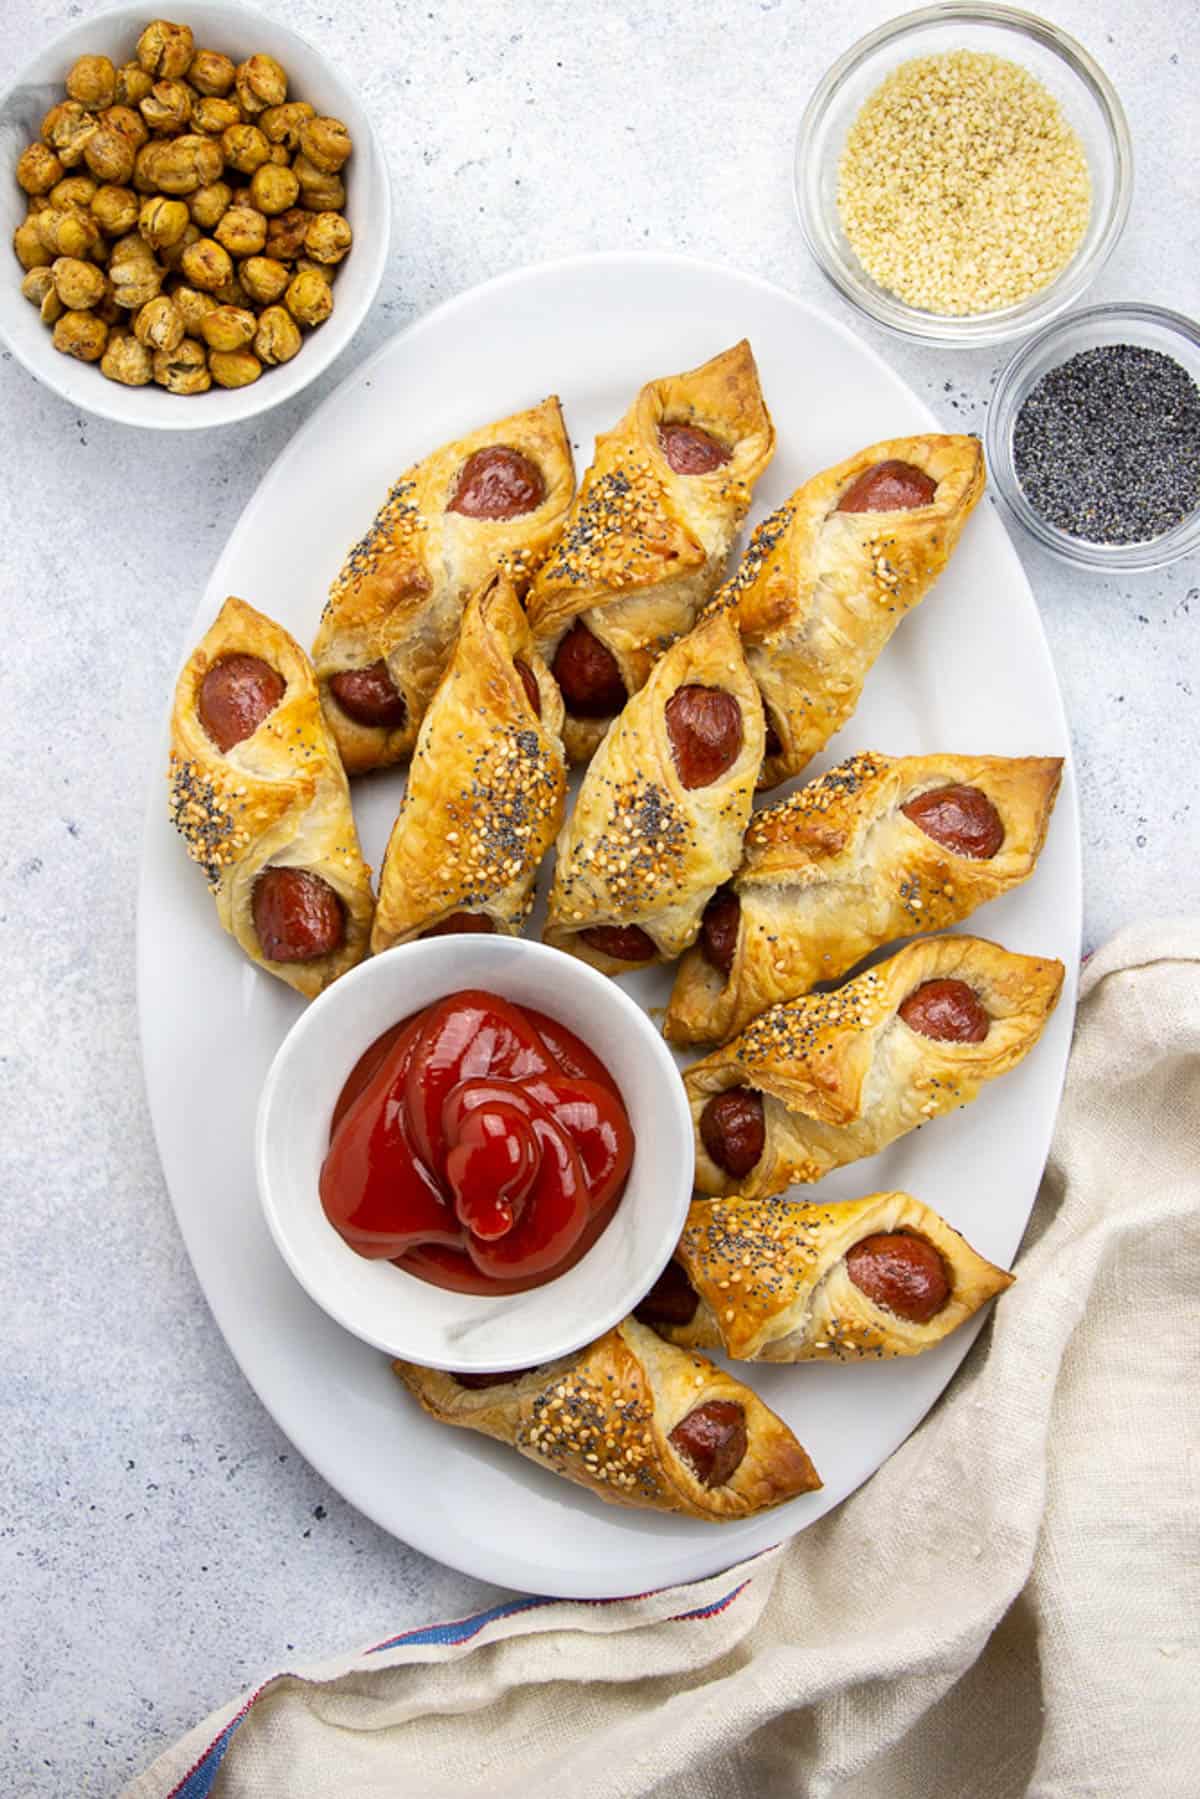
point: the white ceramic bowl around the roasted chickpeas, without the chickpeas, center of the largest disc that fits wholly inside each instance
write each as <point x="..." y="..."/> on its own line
<point x="240" y="33"/>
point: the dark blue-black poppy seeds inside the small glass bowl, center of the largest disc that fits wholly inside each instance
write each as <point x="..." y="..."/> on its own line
<point x="1107" y="447"/>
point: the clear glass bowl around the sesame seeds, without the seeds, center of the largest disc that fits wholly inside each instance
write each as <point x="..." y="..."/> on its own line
<point x="1088" y="100"/>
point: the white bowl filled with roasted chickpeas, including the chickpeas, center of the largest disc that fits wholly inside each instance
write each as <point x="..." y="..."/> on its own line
<point x="199" y="215"/>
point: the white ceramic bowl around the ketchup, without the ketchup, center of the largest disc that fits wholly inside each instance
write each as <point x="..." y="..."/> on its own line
<point x="391" y="1309"/>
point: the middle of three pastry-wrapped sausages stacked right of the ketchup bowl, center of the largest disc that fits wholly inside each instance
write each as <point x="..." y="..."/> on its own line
<point x="825" y="1080"/>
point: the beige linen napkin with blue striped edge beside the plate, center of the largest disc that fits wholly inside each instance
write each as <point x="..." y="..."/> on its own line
<point x="1010" y="1607"/>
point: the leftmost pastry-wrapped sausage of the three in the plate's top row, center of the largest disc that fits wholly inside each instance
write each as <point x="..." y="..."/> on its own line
<point x="494" y="499"/>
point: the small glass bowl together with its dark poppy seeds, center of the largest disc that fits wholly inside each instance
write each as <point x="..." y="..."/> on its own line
<point x="1095" y="438"/>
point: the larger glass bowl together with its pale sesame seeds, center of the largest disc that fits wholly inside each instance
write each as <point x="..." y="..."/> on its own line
<point x="963" y="174"/>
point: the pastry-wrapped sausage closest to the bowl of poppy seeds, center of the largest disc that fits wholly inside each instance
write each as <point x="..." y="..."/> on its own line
<point x="821" y="589"/>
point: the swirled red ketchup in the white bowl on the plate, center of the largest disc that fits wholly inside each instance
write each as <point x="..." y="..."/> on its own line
<point x="479" y="1145"/>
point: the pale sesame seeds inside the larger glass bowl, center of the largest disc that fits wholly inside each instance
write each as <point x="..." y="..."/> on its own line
<point x="962" y="186"/>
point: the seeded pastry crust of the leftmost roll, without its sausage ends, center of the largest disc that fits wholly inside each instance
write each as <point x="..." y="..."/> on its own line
<point x="278" y="798"/>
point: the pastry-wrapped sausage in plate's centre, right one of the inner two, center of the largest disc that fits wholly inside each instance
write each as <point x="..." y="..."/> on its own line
<point x="659" y="819"/>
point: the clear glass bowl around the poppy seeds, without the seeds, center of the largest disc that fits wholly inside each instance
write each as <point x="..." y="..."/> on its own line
<point x="1093" y="328"/>
